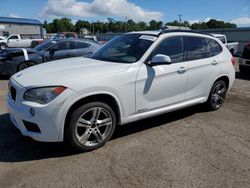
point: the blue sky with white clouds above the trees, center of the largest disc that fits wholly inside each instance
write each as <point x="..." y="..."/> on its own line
<point x="236" y="11"/>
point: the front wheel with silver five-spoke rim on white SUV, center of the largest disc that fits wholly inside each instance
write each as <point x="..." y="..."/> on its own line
<point x="86" y="131"/>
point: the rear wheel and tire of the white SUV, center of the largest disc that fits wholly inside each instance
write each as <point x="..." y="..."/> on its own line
<point x="217" y="95"/>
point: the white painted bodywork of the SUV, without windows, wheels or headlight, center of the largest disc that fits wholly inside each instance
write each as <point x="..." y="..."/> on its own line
<point x="139" y="90"/>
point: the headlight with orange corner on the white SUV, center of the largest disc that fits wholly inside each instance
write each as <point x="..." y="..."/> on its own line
<point x="43" y="95"/>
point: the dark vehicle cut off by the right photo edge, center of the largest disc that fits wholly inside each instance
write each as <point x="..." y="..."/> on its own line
<point x="244" y="61"/>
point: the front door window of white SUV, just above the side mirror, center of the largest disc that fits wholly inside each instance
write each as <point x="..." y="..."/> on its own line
<point x="172" y="47"/>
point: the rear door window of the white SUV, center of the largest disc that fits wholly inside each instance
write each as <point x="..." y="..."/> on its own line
<point x="198" y="48"/>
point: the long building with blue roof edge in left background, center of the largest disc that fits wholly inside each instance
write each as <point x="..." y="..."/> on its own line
<point x="29" y="28"/>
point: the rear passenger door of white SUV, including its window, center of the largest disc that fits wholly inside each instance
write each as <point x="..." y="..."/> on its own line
<point x="203" y="67"/>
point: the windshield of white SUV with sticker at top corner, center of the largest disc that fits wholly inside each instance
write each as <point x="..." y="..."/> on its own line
<point x="127" y="48"/>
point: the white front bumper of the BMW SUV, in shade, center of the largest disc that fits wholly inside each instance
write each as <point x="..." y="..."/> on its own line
<point x="46" y="117"/>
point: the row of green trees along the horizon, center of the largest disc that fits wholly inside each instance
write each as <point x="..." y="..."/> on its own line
<point x="111" y="25"/>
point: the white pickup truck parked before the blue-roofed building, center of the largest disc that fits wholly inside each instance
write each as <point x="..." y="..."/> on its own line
<point x="18" y="41"/>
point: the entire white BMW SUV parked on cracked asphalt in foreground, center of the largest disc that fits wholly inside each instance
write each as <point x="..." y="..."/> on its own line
<point x="134" y="76"/>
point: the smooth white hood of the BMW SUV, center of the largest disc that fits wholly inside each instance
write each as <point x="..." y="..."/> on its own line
<point x="65" y="72"/>
